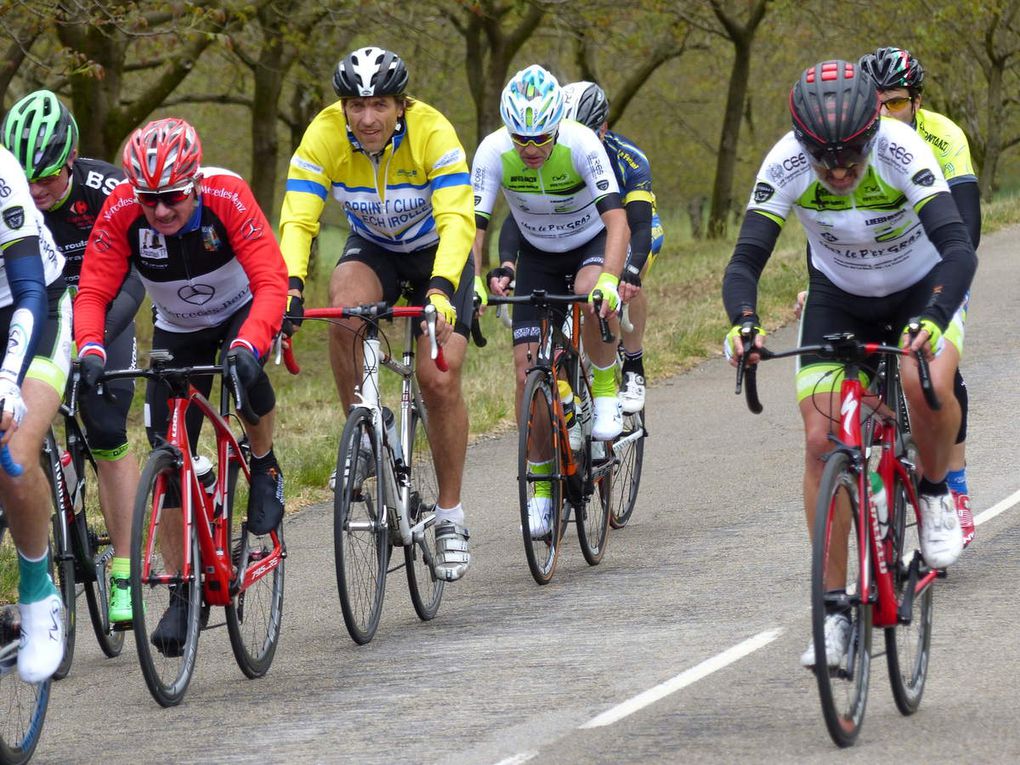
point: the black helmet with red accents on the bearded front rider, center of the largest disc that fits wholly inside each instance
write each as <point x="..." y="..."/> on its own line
<point x="835" y="108"/>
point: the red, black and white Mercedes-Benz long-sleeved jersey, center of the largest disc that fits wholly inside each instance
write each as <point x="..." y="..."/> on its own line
<point x="226" y="258"/>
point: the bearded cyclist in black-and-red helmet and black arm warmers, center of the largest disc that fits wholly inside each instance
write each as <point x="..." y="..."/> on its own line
<point x="888" y="247"/>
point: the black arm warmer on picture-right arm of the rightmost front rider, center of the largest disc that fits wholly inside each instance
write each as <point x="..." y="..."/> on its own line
<point x="953" y="276"/>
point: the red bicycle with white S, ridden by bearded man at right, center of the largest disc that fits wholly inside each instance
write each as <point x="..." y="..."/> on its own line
<point x="888" y="584"/>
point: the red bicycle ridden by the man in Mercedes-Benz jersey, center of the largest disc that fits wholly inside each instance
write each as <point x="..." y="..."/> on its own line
<point x="189" y="543"/>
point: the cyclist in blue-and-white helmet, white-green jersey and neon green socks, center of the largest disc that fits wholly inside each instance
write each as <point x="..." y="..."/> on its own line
<point x="556" y="178"/>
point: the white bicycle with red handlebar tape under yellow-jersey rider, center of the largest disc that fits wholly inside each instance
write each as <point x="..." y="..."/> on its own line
<point x="387" y="487"/>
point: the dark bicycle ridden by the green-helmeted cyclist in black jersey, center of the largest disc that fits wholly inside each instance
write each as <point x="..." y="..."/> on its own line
<point x="80" y="543"/>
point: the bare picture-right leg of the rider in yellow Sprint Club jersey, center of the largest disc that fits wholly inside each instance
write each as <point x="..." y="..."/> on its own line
<point x="448" y="416"/>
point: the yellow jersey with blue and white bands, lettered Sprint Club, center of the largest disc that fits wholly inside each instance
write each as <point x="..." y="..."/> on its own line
<point x="416" y="194"/>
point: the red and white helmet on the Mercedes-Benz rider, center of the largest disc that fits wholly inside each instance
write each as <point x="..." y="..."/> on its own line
<point x="164" y="155"/>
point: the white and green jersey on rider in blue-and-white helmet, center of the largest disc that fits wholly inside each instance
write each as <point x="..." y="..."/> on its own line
<point x="555" y="206"/>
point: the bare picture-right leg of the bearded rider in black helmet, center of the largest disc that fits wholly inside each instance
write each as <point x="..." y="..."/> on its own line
<point x="935" y="432"/>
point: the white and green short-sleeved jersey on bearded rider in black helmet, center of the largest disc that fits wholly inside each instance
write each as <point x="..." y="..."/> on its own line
<point x="872" y="242"/>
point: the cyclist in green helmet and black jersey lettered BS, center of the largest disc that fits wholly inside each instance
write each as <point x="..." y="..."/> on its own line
<point x="70" y="191"/>
